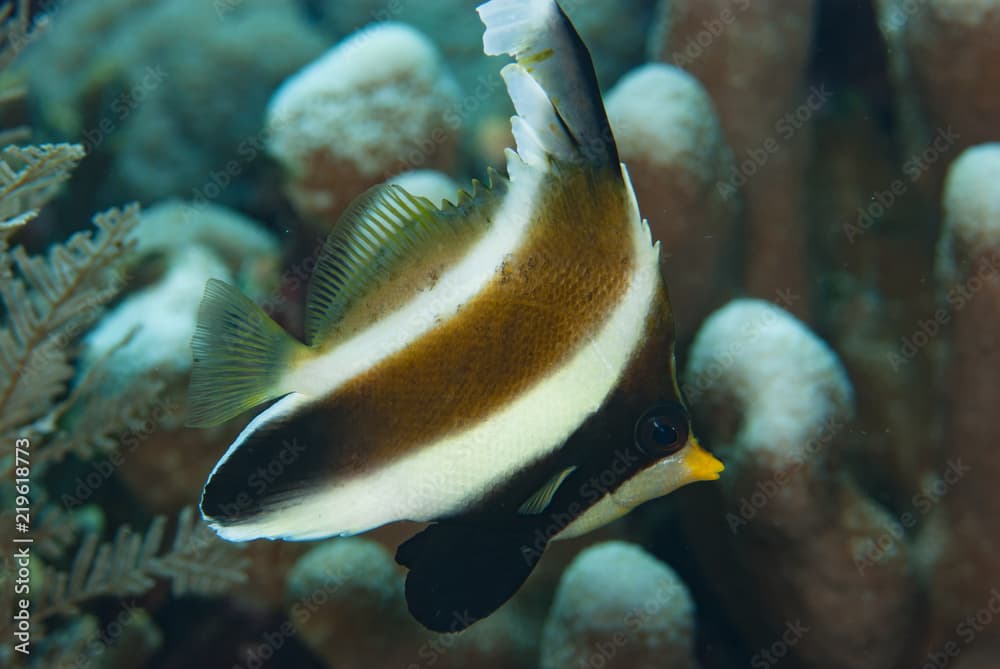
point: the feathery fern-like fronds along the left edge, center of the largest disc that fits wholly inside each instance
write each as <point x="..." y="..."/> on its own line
<point x="49" y="413"/>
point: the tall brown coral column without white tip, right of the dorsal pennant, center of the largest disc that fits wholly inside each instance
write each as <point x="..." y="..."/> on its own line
<point x="751" y="57"/>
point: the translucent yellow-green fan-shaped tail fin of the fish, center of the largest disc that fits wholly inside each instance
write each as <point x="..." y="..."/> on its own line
<point x="240" y="355"/>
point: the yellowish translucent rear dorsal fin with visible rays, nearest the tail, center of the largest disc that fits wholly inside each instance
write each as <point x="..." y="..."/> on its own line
<point x="383" y="234"/>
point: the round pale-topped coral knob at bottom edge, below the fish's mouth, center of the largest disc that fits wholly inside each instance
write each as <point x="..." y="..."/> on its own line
<point x="617" y="603"/>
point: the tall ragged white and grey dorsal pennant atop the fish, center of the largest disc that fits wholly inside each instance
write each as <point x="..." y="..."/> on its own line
<point x="553" y="84"/>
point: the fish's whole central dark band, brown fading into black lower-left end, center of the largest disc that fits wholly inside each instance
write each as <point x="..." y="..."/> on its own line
<point x="504" y="341"/>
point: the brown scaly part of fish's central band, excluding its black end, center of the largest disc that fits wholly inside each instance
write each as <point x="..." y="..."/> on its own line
<point x="504" y="341"/>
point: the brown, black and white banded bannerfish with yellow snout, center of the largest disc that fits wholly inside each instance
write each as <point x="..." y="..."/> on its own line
<point x="502" y="367"/>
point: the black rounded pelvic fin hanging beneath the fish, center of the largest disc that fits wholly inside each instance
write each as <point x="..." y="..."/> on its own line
<point x="461" y="573"/>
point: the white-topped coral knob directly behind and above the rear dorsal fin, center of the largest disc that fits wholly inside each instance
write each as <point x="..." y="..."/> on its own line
<point x="372" y="106"/>
